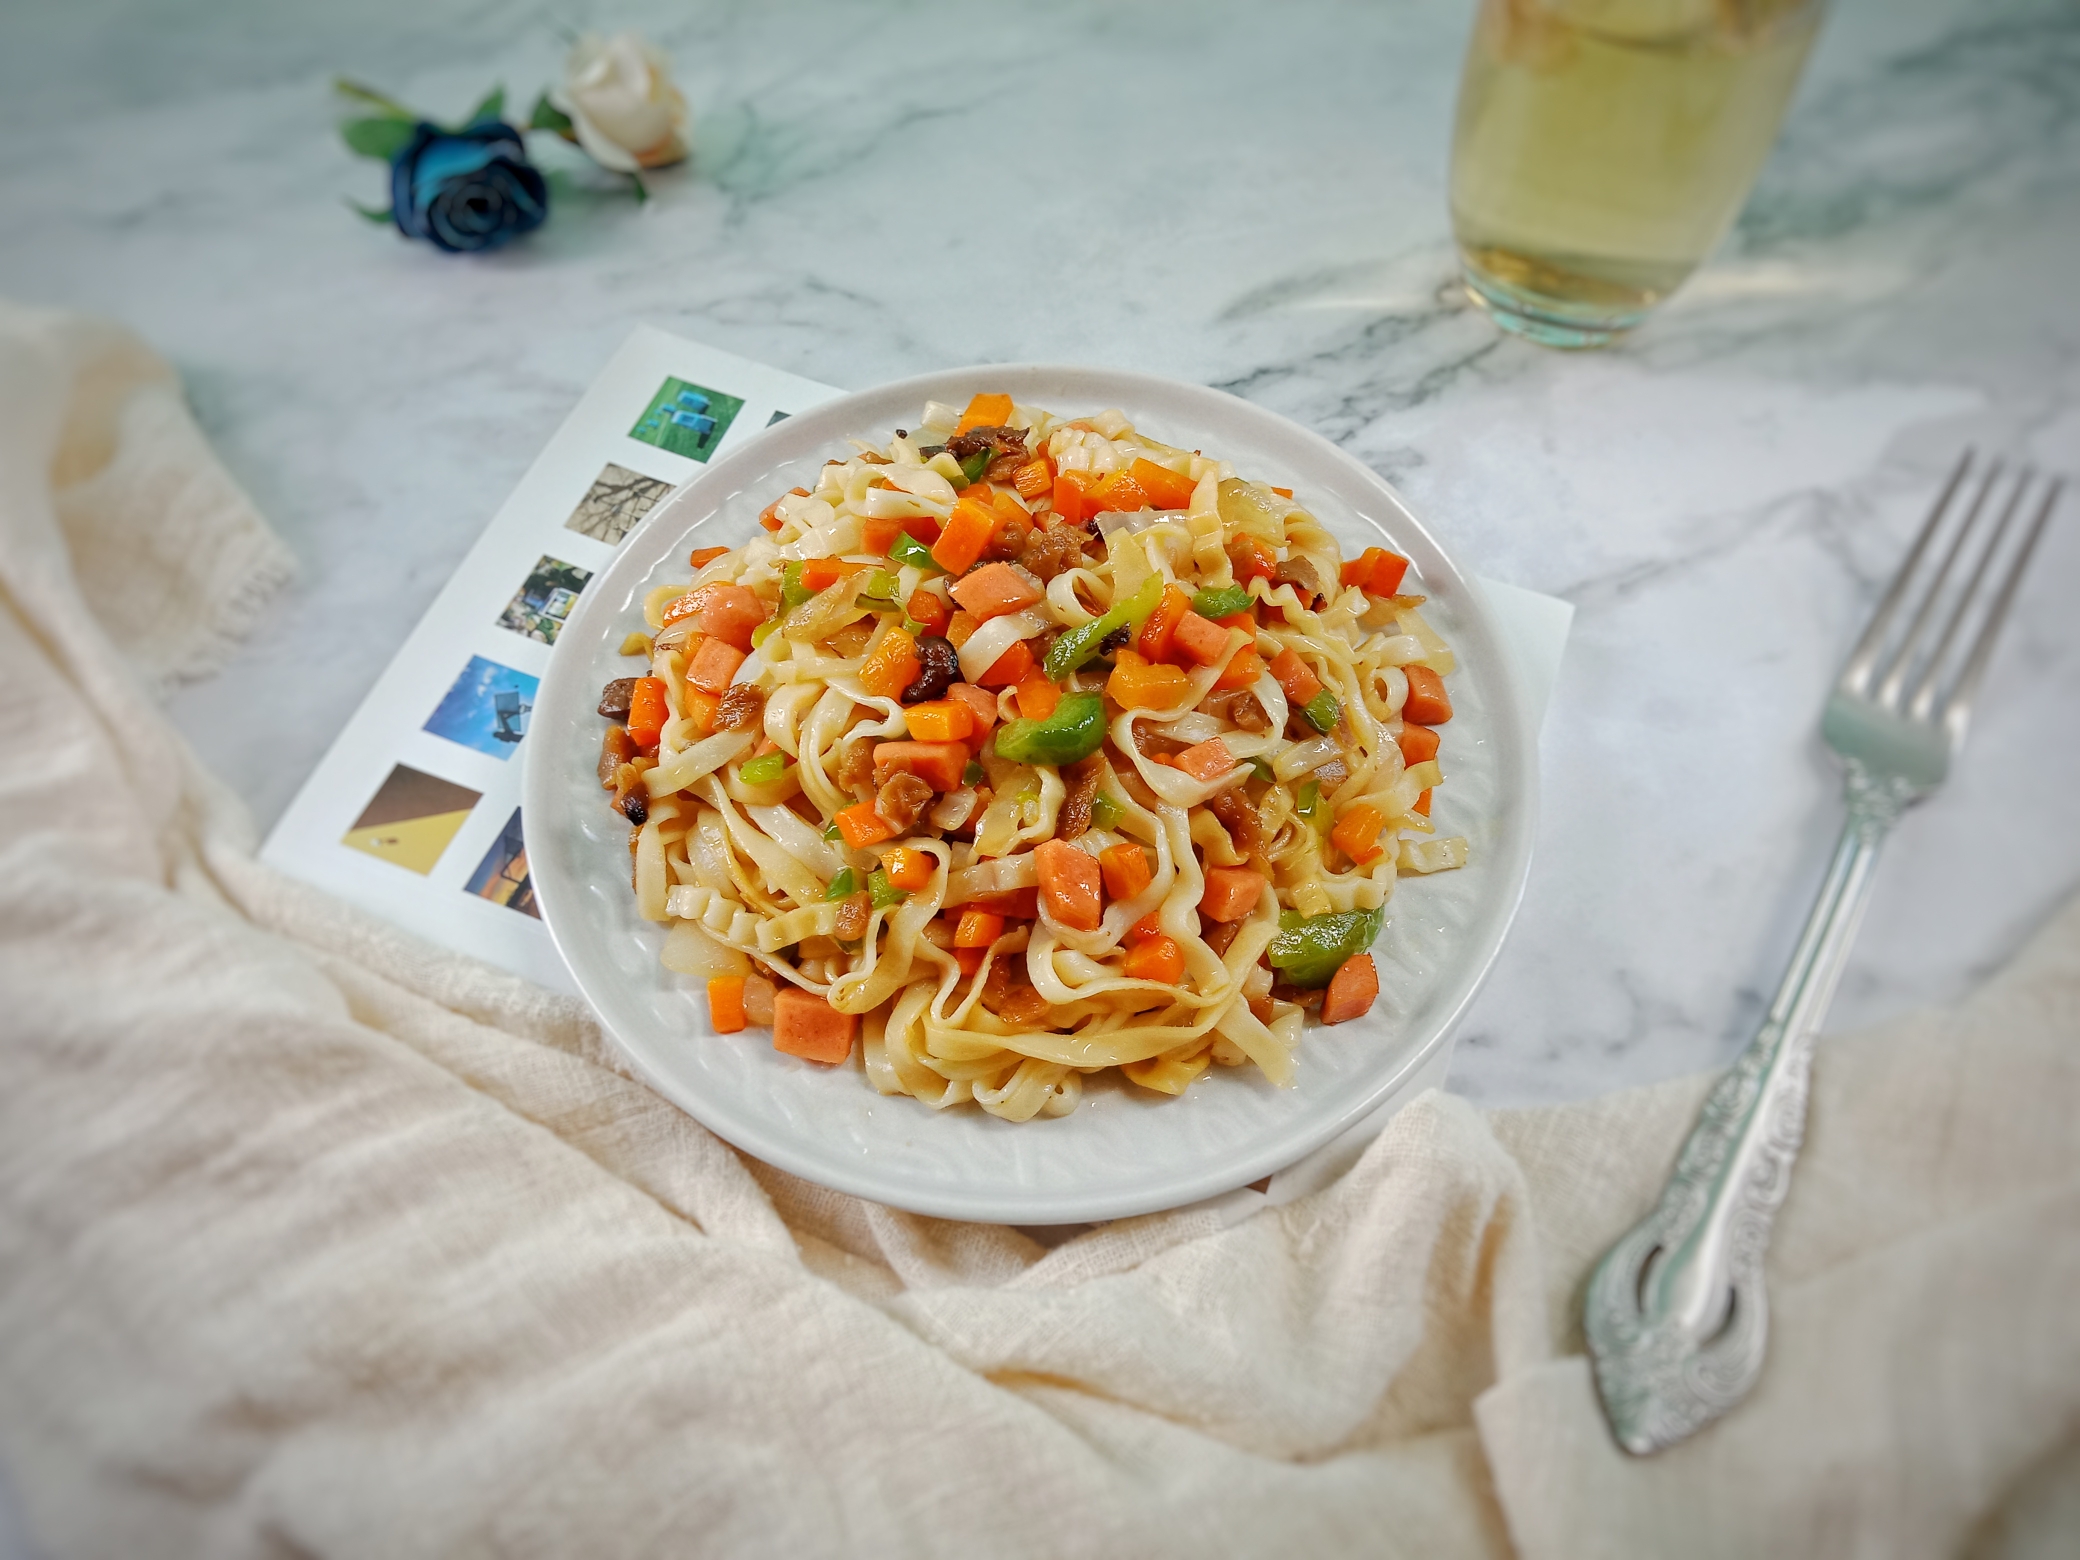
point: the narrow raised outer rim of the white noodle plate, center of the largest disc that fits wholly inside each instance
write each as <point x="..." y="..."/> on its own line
<point x="1519" y="779"/>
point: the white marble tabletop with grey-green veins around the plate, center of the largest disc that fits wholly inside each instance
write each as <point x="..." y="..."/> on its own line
<point x="1245" y="197"/>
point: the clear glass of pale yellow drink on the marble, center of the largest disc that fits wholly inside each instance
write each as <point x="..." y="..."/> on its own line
<point x="1605" y="149"/>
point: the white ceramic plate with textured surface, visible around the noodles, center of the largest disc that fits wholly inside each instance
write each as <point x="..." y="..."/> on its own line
<point x="1124" y="1151"/>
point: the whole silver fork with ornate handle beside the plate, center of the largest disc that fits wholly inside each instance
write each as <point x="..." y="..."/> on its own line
<point x="1675" y="1314"/>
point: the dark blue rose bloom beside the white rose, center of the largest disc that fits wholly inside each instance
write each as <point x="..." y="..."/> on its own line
<point x="467" y="190"/>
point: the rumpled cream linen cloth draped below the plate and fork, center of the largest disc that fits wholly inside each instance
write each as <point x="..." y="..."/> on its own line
<point x="315" y="1239"/>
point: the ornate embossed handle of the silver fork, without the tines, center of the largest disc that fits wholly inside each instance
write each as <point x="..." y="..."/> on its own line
<point x="1678" y="1316"/>
